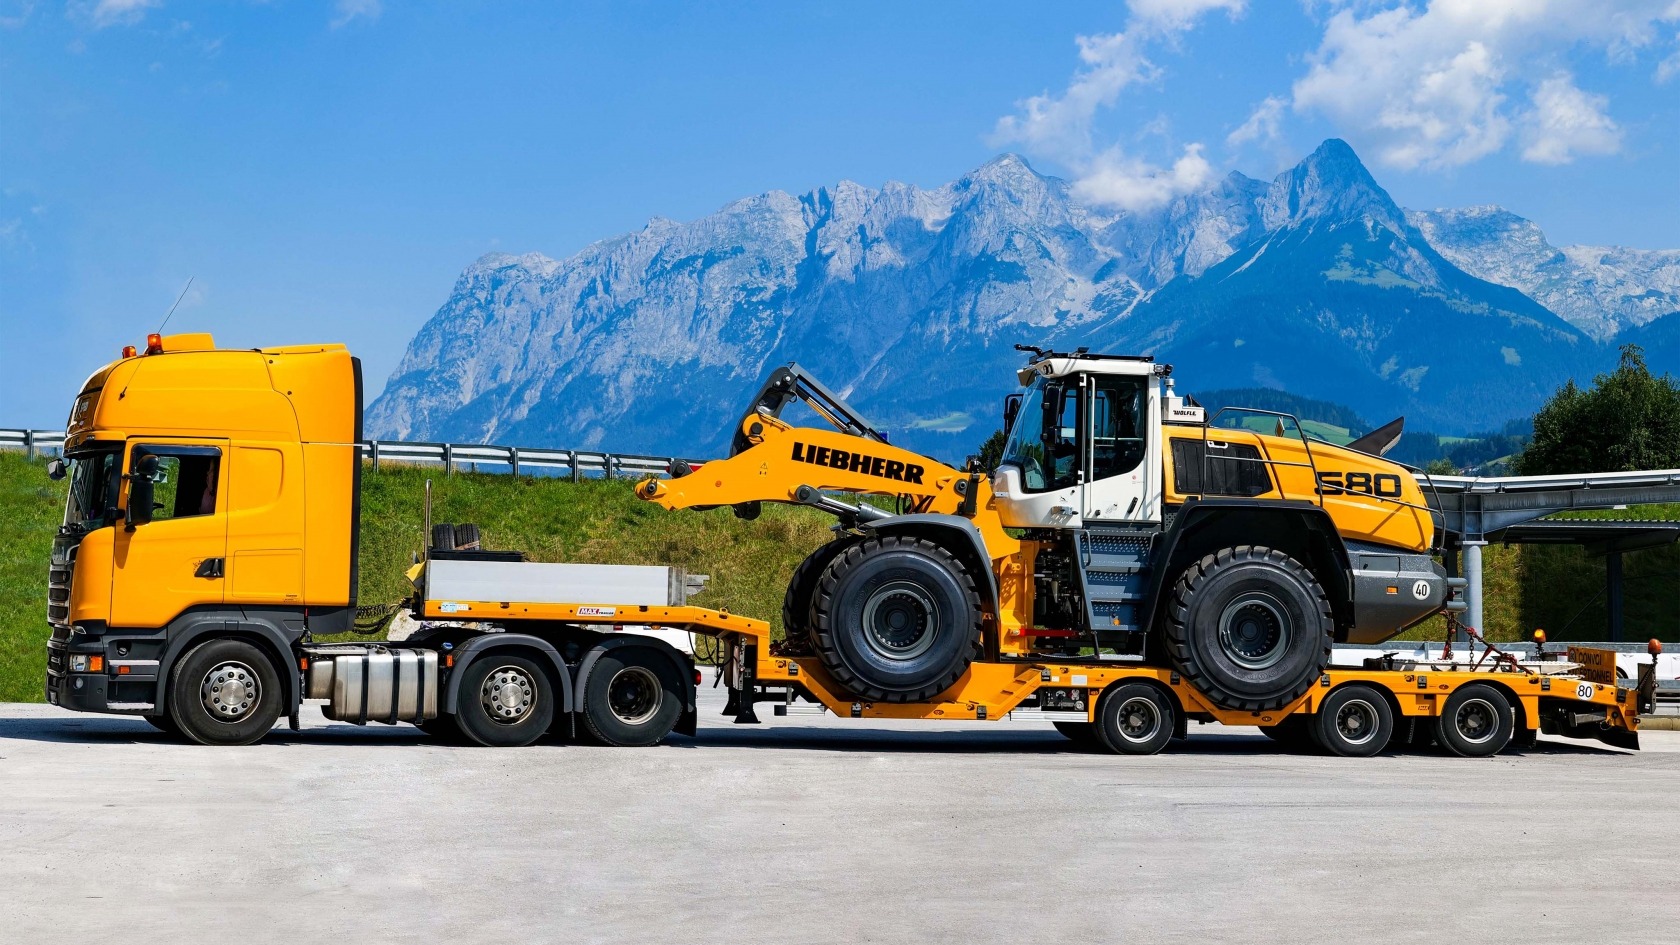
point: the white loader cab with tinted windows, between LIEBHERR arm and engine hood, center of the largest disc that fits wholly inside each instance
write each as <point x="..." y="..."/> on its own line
<point x="1084" y="443"/>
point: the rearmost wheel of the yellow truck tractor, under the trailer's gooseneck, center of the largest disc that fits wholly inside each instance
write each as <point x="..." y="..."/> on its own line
<point x="633" y="699"/>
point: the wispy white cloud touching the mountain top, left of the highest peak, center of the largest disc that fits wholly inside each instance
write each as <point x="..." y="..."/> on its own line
<point x="1061" y="125"/>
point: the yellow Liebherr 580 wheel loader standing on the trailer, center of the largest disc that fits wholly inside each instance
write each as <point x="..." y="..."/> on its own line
<point x="1120" y="525"/>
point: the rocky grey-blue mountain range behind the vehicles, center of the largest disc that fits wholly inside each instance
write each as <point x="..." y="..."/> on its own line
<point x="908" y="302"/>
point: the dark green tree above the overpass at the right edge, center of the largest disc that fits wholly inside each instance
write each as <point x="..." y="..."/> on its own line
<point x="1629" y="420"/>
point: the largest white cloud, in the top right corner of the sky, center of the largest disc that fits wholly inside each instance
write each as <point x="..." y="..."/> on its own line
<point x="1429" y="88"/>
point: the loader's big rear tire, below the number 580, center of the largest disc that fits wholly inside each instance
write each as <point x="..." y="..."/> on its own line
<point x="1251" y="628"/>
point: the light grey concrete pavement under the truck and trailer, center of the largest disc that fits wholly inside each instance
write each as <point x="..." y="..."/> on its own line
<point x="812" y="830"/>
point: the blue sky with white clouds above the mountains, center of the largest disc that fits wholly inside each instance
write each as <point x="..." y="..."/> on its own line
<point x="325" y="171"/>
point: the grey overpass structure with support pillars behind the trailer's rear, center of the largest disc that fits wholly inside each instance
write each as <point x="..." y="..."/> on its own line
<point x="1473" y="512"/>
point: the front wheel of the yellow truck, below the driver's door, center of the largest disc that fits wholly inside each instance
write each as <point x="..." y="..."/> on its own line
<point x="224" y="694"/>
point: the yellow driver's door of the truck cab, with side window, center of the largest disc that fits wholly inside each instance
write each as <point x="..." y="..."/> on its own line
<point x="179" y="559"/>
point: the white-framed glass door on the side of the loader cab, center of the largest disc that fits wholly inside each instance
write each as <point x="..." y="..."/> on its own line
<point x="1121" y="450"/>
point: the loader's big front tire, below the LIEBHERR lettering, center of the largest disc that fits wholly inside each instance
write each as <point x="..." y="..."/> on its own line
<point x="896" y="620"/>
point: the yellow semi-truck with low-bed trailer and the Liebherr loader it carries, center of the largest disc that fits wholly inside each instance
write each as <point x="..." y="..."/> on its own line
<point x="1130" y="568"/>
